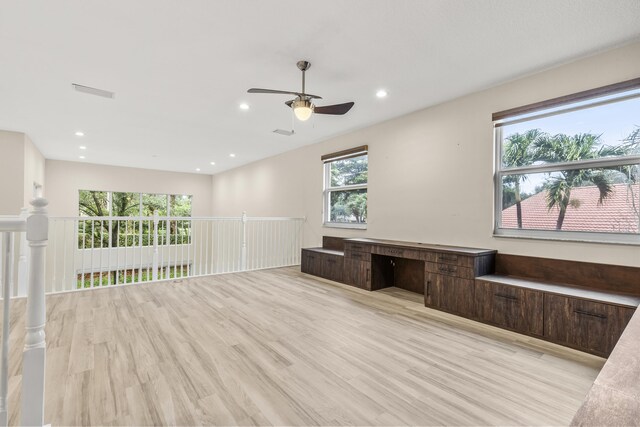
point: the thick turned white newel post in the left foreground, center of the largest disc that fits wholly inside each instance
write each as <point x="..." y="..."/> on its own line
<point x="34" y="355"/>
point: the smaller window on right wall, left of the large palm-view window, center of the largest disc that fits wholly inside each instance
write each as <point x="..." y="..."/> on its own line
<point x="345" y="188"/>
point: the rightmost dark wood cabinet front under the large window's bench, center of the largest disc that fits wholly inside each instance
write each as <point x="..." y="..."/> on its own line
<point x="586" y="325"/>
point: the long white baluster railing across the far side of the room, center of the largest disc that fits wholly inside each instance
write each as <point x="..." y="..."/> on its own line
<point x="89" y="252"/>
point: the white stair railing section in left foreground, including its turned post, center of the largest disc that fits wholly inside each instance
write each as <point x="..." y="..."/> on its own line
<point x="33" y="364"/>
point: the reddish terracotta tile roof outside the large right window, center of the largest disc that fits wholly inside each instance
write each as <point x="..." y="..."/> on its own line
<point x="617" y="213"/>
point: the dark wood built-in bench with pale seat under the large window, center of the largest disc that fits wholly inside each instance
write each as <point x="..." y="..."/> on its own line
<point x="581" y="305"/>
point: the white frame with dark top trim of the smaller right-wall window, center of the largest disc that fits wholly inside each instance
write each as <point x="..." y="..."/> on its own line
<point x="328" y="189"/>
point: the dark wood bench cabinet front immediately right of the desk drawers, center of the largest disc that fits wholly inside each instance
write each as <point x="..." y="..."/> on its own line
<point x="510" y="307"/>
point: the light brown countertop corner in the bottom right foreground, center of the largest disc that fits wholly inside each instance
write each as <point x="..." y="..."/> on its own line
<point x="614" y="398"/>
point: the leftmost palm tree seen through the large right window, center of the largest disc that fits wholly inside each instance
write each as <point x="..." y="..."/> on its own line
<point x="519" y="150"/>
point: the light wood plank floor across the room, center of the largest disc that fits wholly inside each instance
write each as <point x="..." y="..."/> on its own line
<point x="277" y="347"/>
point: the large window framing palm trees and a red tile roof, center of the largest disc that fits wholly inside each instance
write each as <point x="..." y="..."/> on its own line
<point x="569" y="168"/>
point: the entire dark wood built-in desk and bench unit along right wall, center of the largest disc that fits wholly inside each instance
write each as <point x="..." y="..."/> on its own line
<point x="581" y="305"/>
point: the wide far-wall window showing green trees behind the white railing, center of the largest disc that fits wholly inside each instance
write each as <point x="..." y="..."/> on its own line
<point x="113" y="229"/>
